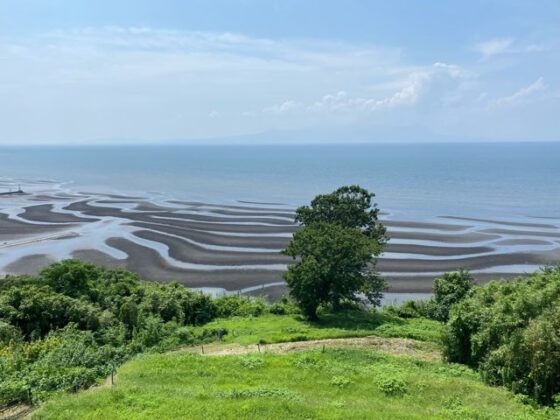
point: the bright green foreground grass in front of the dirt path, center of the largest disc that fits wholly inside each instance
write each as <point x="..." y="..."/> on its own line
<point x="314" y="384"/>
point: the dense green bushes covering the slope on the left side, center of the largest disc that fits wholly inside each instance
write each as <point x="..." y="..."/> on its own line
<point x="69" y="326"/>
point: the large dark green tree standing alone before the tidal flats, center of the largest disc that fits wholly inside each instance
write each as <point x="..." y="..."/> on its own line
<point x="336" y="248"/>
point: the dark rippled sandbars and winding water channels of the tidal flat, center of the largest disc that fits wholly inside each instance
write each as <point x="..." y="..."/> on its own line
<point x="236" y="246"/>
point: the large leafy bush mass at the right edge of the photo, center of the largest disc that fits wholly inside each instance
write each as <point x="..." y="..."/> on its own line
<point x="510" y="332"/>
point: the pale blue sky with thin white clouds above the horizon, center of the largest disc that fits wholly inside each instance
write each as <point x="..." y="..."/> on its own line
<point x="293" y="71"/>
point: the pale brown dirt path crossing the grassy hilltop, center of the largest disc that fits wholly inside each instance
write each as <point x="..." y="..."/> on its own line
<point x="397" y="346"/>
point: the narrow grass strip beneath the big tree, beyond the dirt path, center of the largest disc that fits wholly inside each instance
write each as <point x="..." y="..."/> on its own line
<point x="283" y="328"/>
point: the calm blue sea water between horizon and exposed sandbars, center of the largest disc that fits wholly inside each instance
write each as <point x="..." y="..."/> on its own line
<point x="411" y="181"/>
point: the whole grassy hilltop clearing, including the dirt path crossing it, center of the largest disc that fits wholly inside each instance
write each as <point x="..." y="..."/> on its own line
<point x="334" y="381"/>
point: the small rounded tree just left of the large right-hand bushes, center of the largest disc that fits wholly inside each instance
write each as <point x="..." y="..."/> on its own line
<point x="450" y="289"/>
